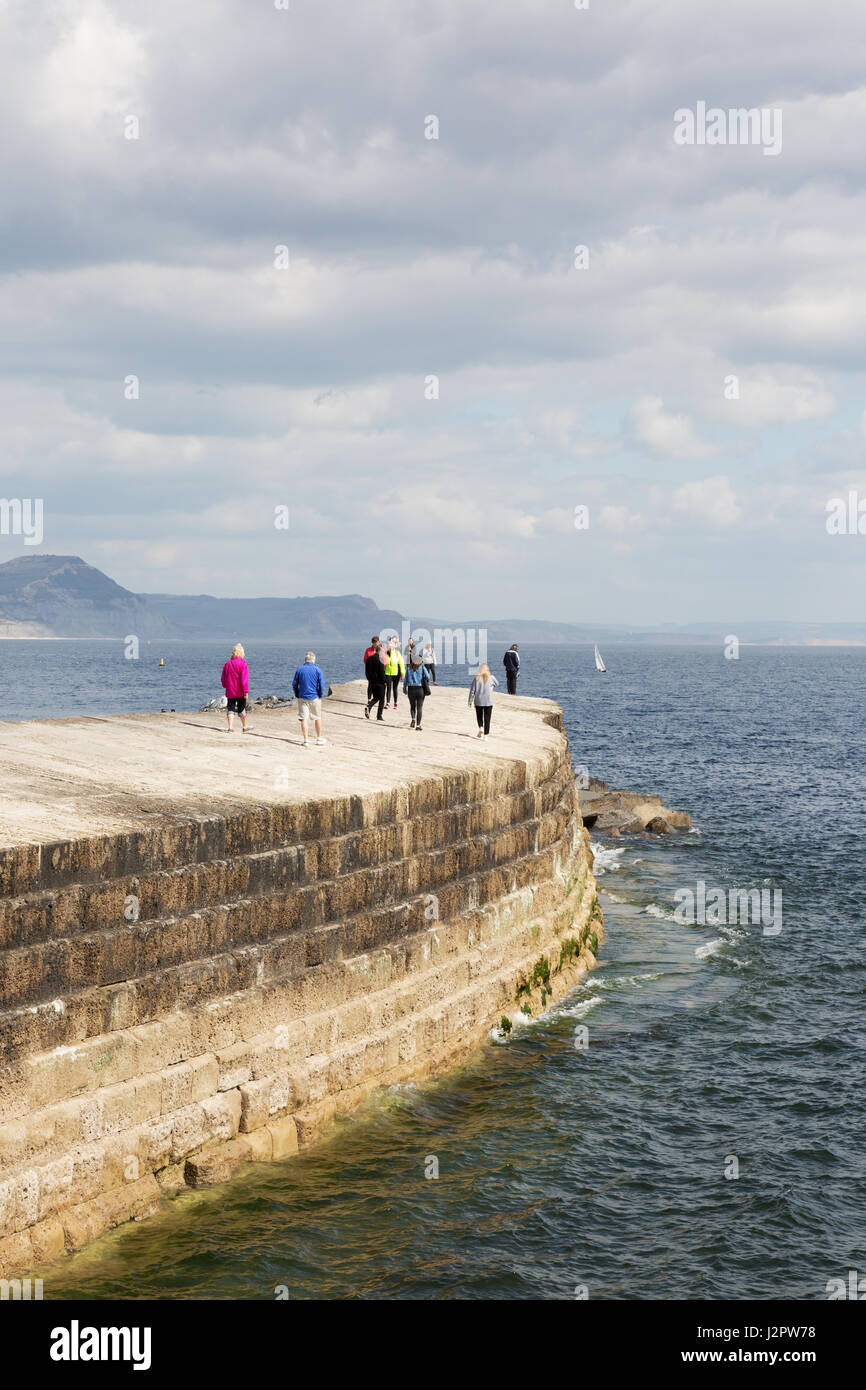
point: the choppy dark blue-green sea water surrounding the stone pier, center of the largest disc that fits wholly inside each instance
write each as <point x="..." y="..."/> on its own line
<point x="712" y="1049"/>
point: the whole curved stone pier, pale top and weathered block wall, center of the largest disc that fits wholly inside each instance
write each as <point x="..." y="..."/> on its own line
<point x="212" y="946"/>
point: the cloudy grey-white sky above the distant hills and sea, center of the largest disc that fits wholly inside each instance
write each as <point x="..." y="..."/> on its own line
<point x="605" y="384"/>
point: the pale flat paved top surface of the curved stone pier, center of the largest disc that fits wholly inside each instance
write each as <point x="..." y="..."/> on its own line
<point x="65" y="779"/>
